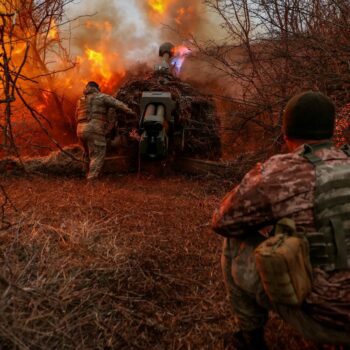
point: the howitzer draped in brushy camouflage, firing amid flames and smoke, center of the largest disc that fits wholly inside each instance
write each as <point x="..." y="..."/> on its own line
<point x="168" y="110"/>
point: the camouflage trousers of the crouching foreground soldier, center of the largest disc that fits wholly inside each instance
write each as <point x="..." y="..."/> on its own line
<point x="250" y="304"/>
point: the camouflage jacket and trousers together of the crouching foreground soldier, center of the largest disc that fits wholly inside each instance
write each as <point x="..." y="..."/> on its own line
<point x="283" y="186"/>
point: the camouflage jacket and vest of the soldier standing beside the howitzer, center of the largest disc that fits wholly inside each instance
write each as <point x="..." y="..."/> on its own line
<point x="96" y="109"/>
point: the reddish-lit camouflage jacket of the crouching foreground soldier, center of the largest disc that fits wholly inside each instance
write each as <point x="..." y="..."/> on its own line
<point x="284" y="186"/>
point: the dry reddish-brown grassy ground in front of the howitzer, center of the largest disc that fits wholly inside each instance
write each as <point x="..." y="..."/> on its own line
<point x="122" y="263"/>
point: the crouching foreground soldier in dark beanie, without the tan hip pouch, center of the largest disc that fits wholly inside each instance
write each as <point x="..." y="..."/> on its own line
<point x="285" y="187"/>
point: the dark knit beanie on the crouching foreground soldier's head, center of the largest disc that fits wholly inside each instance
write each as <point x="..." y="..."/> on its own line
<point x="309" y="116"/>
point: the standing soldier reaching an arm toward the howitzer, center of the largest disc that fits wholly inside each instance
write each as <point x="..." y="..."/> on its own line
<point x="95" y="118"/>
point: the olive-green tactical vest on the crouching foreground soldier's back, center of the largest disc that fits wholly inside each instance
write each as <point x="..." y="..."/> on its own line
<point x="330" y="244"/>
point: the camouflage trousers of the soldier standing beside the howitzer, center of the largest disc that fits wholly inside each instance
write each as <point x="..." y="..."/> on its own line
<point x="95" y="146"/>
